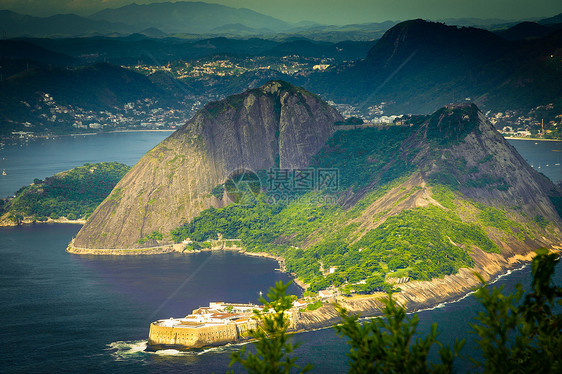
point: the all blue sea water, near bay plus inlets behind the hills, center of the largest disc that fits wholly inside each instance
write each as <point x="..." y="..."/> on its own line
<point x="69" y="313"/>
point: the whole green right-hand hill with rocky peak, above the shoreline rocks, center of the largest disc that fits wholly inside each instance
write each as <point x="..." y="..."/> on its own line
<point x="416" y="202"/>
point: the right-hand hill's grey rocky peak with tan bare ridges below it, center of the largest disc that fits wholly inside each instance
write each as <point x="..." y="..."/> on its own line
<point x="457" y="147"/>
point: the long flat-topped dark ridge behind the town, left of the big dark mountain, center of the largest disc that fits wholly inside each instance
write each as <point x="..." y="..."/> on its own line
<point x="139" y="47"/>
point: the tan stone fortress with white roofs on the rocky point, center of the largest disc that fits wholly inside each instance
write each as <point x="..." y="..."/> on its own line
<point x="218" y="324"/>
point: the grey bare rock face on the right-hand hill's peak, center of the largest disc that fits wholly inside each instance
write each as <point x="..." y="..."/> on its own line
<point x="481" y="164"/>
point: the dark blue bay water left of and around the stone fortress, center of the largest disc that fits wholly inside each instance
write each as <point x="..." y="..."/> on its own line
<point x="63" y="312"/>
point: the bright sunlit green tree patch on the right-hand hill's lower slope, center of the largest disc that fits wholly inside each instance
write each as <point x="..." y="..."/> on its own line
<point x="422" y="240"/>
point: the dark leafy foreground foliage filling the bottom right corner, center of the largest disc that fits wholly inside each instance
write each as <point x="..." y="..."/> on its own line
<point x="521" y="332"/>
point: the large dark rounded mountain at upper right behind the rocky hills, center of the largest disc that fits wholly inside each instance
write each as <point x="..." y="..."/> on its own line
<point x="418" y="66"/>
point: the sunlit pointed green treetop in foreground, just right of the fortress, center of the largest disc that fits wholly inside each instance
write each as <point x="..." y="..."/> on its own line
<point x="273" y="349"/>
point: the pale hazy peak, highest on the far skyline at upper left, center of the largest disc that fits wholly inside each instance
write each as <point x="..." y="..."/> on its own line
<point x="188" y="17"/>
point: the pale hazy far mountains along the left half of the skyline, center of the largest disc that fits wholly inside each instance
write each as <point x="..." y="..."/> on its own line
<point x="166" y="18"/>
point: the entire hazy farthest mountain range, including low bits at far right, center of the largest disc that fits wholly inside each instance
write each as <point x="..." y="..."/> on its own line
<point x="200" y="18"/>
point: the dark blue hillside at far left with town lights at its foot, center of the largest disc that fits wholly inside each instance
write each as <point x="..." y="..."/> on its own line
<point x="39" y="98"/>
